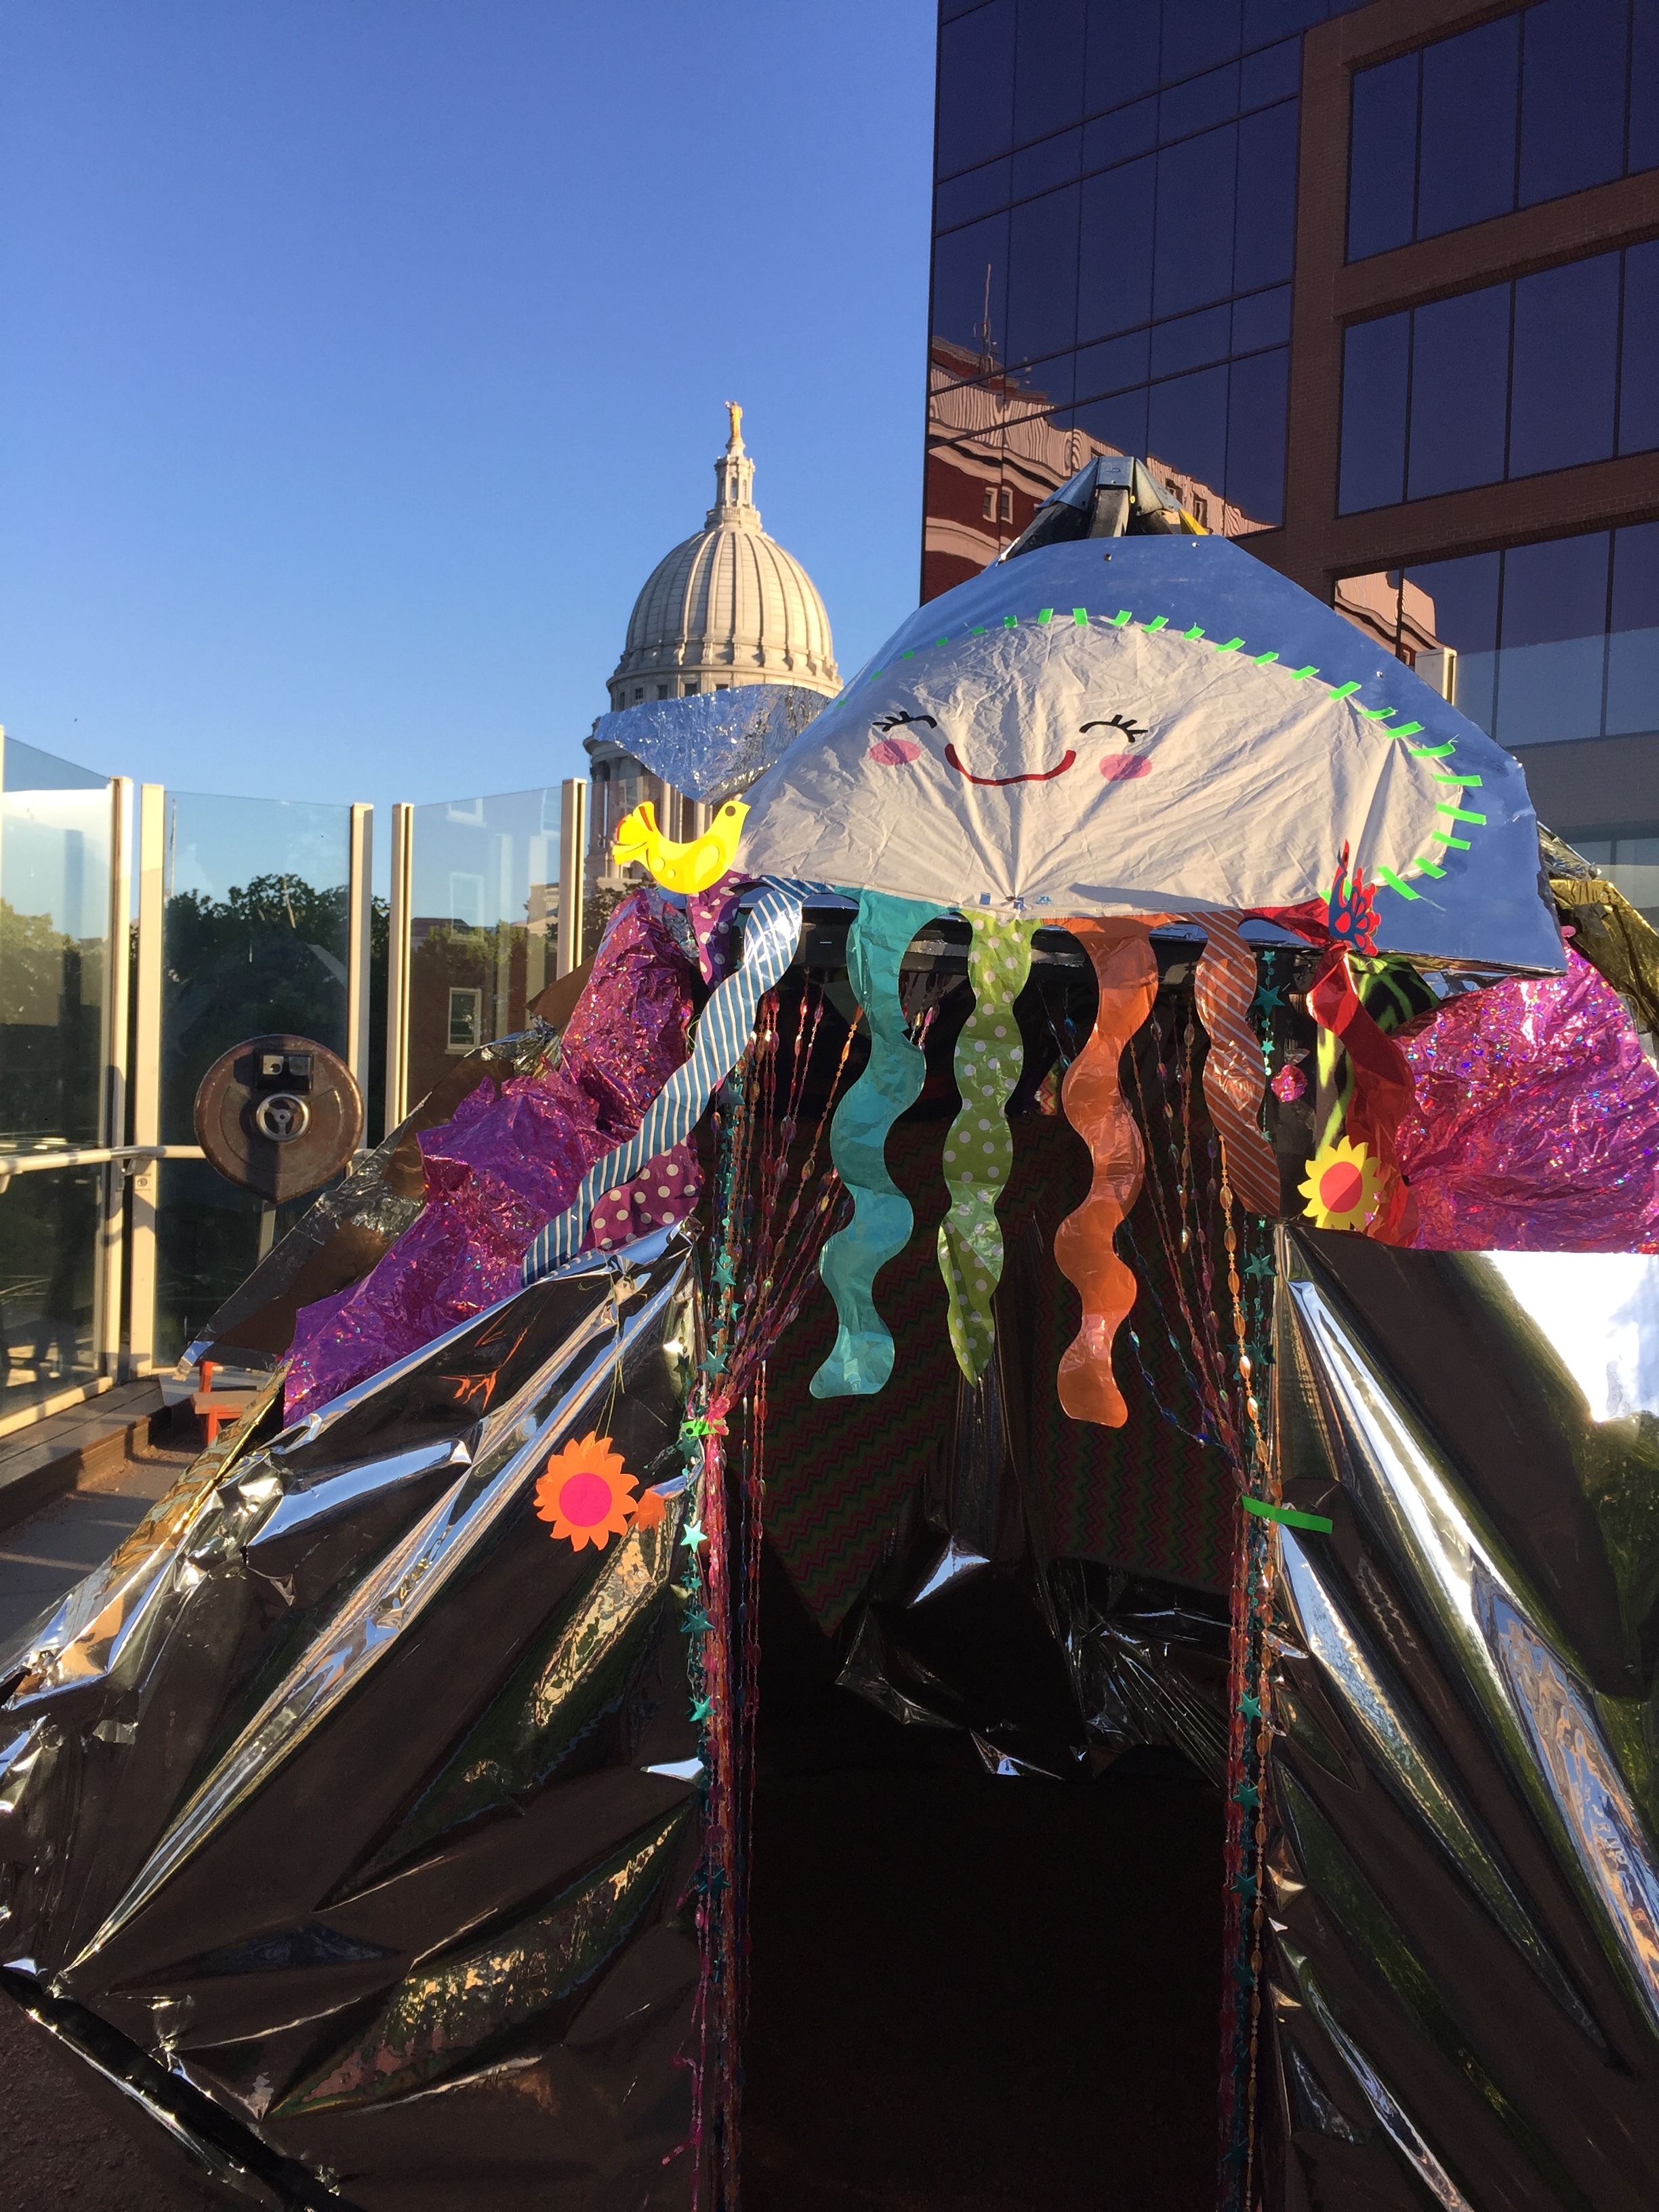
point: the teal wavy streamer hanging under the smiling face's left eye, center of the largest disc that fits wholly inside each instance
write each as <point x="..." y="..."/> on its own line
<point x="881" y="1224"/>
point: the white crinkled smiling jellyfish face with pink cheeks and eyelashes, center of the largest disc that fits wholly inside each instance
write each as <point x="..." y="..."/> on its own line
<point x="1096" y="769"/>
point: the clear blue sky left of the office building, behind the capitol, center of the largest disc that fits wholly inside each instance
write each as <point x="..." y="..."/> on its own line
<point x="366" y="355"/>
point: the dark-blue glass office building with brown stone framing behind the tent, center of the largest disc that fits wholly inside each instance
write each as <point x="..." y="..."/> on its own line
<point x="1375" y="289"/>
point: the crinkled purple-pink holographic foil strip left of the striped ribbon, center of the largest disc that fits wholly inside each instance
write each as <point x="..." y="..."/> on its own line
<point x="510" y="1162"/>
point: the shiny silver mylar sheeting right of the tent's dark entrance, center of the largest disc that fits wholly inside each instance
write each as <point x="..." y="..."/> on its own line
<point x="1463" y="1884"/>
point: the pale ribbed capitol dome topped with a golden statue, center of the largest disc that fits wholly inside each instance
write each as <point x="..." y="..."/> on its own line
<point x="727" y="607"/>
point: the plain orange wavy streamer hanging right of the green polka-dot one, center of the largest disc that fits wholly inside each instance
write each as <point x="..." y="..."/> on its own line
<point x="1127" y="974"/>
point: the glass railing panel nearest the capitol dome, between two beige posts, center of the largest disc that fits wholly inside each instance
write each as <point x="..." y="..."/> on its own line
<point x="483" y="924"/>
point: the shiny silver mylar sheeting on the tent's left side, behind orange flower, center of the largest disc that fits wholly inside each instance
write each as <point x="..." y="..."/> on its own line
<point x="346" y="1819"/>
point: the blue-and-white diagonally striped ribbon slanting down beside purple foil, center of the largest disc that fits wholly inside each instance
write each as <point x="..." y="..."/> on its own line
<point x="724" y="1030"/>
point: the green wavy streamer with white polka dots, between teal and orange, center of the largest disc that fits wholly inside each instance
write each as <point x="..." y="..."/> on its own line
<point x="979" y="1151"/>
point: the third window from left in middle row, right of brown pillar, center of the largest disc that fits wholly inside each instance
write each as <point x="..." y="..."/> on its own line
<point x="1567" y="344"/>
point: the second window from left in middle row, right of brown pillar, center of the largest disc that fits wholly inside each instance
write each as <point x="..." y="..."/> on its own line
<point x="1459" y="371"/>
